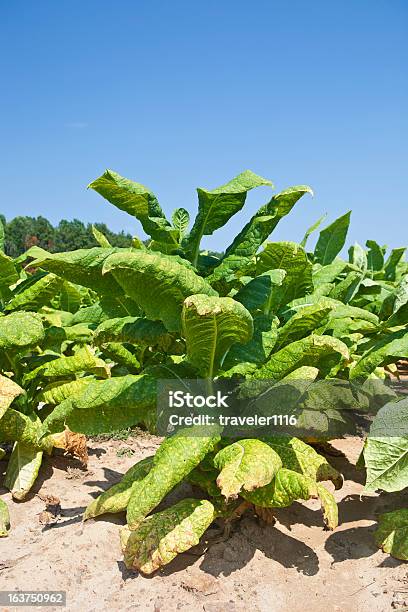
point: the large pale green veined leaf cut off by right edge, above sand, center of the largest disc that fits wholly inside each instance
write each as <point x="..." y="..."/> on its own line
<point x="386" y="449"/>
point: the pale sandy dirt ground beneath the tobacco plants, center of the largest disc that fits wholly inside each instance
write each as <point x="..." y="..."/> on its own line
<point x="292" y="566"/>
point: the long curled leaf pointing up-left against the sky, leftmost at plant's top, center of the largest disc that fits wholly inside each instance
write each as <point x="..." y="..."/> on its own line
<point x="138" y="201"/>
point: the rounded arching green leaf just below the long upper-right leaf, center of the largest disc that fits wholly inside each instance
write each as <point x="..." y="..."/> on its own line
<point x="290" y="257"/>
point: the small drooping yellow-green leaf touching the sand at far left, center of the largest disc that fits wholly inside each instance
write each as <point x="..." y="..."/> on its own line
<point x="22" y="469"/>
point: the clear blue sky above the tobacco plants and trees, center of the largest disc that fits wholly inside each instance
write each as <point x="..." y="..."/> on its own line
<point x="183" y="94"/>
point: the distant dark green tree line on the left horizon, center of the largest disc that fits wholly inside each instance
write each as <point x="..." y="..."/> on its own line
<point x="21" y="233"/>
